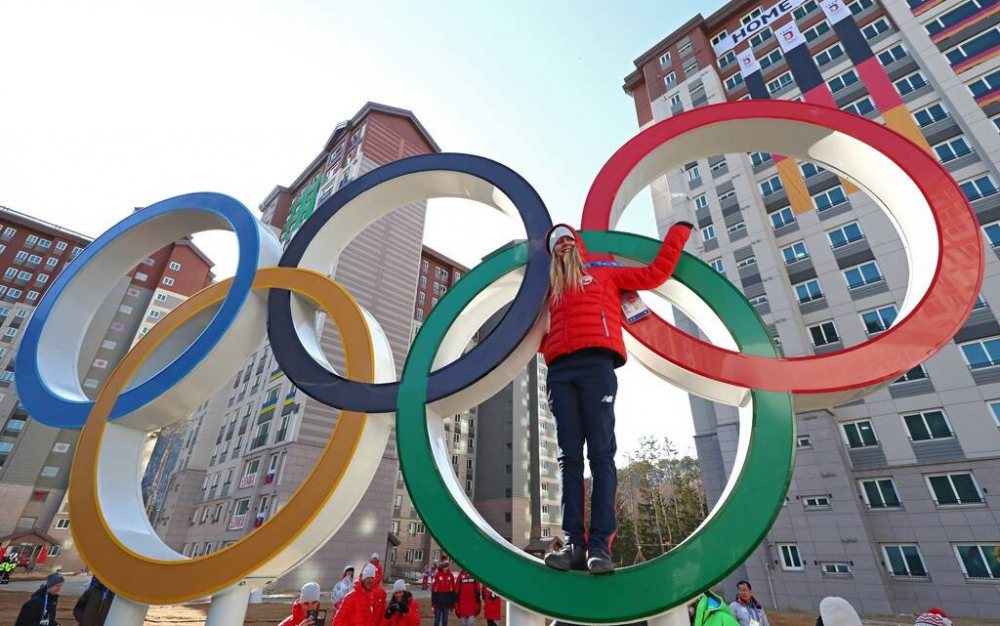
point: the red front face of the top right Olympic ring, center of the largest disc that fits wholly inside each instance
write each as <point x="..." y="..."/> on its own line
<point x="935" y="320"/>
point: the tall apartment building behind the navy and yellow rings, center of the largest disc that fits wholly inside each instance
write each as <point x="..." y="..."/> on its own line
<point x="251" y="445"/>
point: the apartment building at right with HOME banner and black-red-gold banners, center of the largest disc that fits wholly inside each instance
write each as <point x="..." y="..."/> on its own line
<point x="892" y="503"/>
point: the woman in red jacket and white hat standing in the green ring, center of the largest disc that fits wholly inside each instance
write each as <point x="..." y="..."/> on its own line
<point x="583" y="348"/>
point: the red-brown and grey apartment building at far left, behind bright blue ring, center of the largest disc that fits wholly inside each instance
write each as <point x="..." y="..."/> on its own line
<point x="35" y="459"/>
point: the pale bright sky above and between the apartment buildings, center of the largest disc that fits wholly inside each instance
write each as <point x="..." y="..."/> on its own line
<point x="105" y="107"/>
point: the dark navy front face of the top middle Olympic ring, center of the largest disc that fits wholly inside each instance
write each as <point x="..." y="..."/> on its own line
<point x="341" y="393"/>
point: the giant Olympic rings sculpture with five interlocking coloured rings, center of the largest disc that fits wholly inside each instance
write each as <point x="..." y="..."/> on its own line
<point x="193" y="350"/>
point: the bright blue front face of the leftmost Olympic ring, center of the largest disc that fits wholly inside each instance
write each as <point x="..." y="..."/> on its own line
<point x="50" y="409"/>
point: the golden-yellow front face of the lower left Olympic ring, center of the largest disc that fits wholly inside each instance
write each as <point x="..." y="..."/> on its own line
<point x="154" y="581"/>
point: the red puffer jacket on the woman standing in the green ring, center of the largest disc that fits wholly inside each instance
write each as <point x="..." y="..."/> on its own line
<point x="592" y="316"/>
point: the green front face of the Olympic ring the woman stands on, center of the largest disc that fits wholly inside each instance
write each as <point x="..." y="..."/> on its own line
<point x="631" y="593"/>
